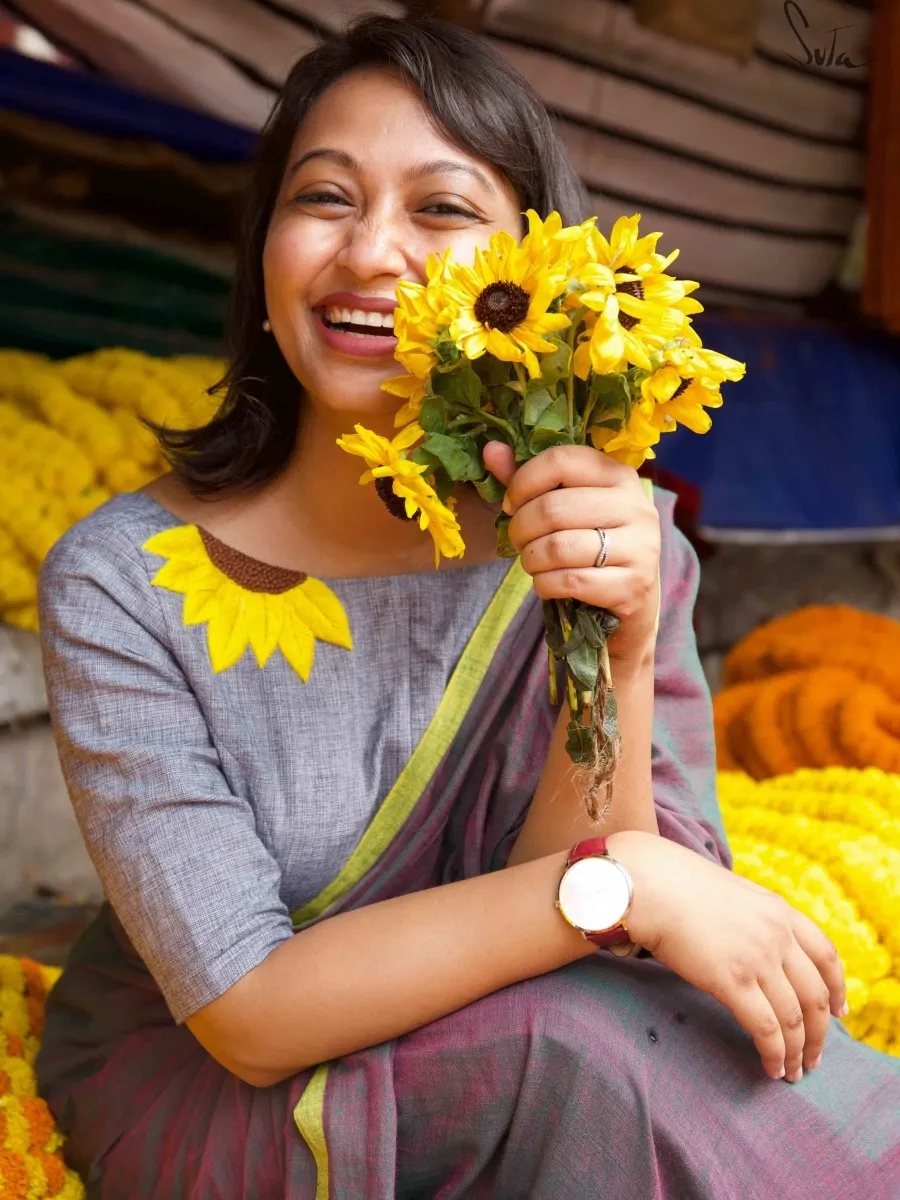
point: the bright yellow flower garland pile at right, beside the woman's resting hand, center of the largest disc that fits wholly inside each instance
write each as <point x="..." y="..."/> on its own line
<point x="829" y="842"/>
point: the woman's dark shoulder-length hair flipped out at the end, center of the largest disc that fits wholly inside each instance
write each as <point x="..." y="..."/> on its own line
<point x="478" y="100"/>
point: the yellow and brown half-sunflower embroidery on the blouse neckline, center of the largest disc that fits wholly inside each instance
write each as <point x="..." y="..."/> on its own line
<point x="247" y="603"/>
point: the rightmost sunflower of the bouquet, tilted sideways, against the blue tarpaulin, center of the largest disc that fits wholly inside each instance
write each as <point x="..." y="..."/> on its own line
<point x="686" y="383"/>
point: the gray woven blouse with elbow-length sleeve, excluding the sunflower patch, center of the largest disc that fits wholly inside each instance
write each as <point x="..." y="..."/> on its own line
<point x="215" y="805"/>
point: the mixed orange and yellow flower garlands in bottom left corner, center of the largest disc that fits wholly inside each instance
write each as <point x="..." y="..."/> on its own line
<point x="32" y="1166"/>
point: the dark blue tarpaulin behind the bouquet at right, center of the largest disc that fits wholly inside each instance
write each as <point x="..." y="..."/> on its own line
<point x="808" y="446"/>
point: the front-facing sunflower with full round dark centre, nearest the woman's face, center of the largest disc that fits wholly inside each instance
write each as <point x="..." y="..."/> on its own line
<point x="501" y="305"/>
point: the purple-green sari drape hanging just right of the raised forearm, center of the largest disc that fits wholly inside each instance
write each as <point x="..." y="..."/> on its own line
<point x="683" y="743"/>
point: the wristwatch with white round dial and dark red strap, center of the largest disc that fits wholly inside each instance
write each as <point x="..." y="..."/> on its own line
<point x="596" y="896"/>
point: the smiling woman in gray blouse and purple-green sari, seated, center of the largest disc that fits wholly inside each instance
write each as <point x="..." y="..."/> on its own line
<point x="353" y="857"/>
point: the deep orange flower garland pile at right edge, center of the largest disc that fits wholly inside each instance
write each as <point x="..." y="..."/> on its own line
<point x="817" y="688"/>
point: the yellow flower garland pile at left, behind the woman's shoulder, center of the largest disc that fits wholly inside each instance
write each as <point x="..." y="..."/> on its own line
<point x="74" y="437"/>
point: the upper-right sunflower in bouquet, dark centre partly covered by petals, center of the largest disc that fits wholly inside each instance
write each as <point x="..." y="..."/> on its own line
<point x="640" y="308"/>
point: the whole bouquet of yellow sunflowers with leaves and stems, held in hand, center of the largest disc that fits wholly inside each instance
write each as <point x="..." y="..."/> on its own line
<point x="562" y="339"/>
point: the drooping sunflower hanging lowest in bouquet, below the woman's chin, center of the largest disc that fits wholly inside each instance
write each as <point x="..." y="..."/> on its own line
<point x="403" y="488"/>
